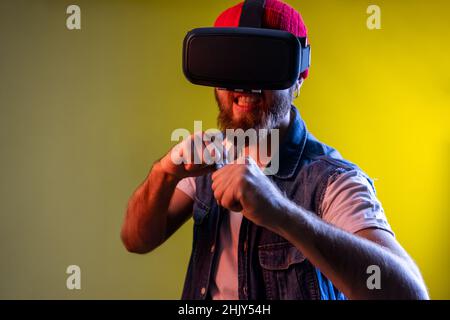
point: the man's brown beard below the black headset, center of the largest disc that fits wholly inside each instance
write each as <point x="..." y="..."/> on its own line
<point x="273" y="109"/>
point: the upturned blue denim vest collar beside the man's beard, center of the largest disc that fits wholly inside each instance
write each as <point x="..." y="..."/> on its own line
<point x="291" y="148"/>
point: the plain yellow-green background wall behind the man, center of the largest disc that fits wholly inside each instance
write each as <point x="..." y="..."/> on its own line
<point x="83" y="114"/>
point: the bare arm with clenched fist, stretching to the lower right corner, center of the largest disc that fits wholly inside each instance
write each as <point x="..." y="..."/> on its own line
<point x="341" y="256"/>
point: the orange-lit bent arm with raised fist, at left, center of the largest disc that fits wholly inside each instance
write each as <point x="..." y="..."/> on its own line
<point x="157" y="208"/>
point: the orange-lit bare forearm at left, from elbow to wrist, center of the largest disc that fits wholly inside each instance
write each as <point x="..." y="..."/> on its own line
<point x="146" y="218"/>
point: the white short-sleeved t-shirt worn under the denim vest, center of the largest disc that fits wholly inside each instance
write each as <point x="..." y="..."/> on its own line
<point x="349" y="203"/>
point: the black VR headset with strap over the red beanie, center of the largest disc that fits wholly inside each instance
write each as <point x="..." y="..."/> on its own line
<point x="245" y="58"/>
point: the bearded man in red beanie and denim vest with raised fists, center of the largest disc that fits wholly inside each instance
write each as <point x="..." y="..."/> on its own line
<point x="310" y="231"/>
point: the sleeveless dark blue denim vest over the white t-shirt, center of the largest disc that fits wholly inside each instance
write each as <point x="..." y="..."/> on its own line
<point x="269" y="267"/>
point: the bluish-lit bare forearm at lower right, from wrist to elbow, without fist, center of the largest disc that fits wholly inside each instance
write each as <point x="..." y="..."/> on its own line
<point x="344" y="257"/>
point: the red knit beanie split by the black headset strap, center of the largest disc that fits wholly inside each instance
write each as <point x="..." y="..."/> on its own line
<point x="277" y="15"/>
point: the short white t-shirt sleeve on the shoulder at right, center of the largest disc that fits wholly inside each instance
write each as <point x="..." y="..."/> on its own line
<point x="350" y="203"/>
